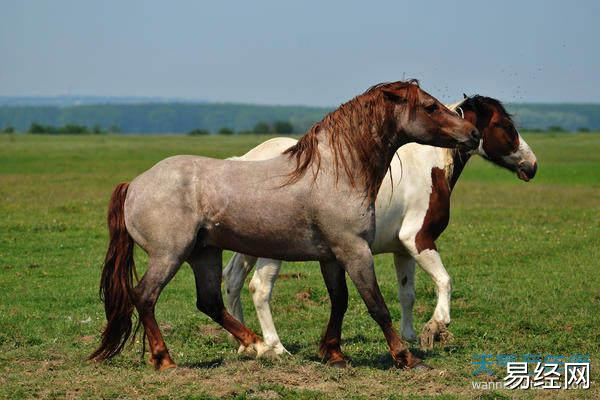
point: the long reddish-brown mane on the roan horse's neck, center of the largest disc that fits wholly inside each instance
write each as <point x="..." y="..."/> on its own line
<point x="358" y="132"/>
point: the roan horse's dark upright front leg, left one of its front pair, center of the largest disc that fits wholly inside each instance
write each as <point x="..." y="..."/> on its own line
<point x="335" y="280"/>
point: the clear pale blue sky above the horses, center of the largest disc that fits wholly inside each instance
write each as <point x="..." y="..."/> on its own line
<point x="303" y="52"/>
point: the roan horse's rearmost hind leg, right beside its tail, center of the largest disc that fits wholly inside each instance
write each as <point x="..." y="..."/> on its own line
<point x="160" y="271"/>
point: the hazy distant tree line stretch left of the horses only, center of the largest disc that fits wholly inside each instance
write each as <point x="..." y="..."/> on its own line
<point x="163" y="118"/>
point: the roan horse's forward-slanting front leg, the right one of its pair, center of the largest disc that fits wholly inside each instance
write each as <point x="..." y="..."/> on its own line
<point x="358" y="262"/>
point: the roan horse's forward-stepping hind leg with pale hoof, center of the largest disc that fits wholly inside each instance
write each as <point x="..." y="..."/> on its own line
<point x="207" y="265"/>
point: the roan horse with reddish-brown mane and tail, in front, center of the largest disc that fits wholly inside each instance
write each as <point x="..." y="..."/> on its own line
<point x="188" y="208"/>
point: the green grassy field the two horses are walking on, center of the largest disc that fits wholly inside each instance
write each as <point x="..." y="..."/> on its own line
<point x="523" y="257"/>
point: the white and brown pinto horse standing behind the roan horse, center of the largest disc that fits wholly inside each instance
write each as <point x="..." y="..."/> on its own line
<point x="409" y="217"/>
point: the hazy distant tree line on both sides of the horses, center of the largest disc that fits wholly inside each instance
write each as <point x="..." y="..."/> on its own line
<point x="245" y="118"/>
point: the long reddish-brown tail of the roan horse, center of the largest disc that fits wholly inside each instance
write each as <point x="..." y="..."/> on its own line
<point x="117" y="280"/>
